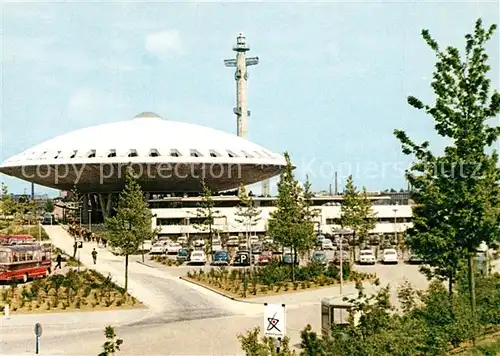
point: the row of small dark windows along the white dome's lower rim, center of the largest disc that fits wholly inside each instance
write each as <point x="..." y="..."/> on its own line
<point x="172" y="153"/>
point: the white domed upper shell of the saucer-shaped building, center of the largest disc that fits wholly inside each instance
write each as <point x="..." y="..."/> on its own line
<point x="147" y="135"/>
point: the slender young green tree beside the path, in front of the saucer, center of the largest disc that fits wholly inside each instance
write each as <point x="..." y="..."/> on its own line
<point x="132" y="223"/>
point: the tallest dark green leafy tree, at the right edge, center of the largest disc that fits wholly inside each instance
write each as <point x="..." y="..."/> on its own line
<point x="457" y="194"/>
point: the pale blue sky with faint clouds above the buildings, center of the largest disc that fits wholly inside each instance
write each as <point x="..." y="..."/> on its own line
<point x="330" y="88"/>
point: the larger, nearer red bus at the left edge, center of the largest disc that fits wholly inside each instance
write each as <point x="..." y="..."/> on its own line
<point x="24" y="261"/>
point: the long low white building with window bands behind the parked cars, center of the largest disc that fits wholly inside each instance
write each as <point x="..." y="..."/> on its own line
<point x="176" y="216"/>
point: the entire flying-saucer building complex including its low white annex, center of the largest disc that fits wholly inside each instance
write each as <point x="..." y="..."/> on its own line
<point x="171" y="160"/>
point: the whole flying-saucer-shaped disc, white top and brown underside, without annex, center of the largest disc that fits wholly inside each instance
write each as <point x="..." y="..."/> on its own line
<point x="167" y="156"/>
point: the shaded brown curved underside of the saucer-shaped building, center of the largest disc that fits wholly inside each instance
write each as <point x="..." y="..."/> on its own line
<point x="179" y="178"/>
